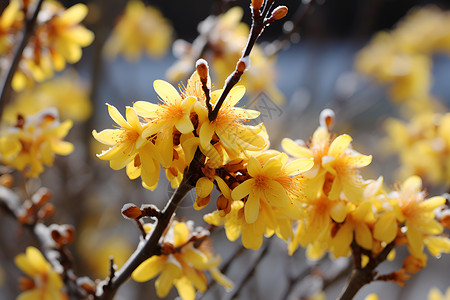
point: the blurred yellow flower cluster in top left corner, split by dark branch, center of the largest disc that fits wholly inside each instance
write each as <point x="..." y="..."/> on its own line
<point x="57" y="39"/>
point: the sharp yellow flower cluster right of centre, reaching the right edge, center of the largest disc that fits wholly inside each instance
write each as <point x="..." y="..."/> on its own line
<point x="342" y="211"/>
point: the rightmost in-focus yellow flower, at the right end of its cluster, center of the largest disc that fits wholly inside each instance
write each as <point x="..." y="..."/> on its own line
<point x="416" y="212"/>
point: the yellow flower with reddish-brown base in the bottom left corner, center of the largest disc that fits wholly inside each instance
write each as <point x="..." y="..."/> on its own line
<point x="45" y="283"/>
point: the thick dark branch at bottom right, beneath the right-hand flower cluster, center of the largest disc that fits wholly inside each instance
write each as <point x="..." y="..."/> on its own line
<point x="363" y="276"/>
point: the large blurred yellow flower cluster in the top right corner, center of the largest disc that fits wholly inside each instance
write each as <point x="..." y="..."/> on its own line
<point x="403" y="59"/>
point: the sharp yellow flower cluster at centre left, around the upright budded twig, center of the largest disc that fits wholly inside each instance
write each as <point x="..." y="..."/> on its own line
<point x="167" y="134"/>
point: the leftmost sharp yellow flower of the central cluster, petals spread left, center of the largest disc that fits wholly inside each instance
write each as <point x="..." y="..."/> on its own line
<point x="128" y="148"/>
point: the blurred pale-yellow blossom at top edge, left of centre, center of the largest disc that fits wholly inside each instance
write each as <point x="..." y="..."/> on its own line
<point x="141" y="28"/>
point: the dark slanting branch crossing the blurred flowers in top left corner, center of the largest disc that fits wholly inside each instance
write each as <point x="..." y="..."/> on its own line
<point x="27" y="34"/>
